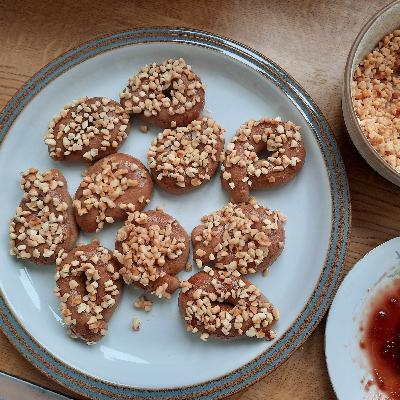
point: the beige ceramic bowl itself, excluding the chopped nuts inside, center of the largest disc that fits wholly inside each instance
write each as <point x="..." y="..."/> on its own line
<point x="385" y="21"/>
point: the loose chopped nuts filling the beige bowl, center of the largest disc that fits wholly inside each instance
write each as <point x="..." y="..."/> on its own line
<point x="376" y="98"/>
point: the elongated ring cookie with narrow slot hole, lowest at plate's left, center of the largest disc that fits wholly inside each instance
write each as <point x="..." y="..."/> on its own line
<point x="89" y="287"/>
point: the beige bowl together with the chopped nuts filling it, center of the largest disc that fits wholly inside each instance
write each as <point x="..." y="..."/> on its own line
<point x="371" y="92"/>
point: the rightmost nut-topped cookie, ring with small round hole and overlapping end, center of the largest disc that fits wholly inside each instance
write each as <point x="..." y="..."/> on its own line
<point x="243" y="170"/>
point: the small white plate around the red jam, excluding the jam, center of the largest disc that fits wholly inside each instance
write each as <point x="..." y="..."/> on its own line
<point x="348" y="364"/>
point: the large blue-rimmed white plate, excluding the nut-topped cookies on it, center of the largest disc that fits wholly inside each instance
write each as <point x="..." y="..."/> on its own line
<point x="162" y="360"/>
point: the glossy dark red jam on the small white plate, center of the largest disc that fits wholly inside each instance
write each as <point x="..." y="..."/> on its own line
<point x="381" y="340"/>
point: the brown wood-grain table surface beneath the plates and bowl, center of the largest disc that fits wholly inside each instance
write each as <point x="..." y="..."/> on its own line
<point x="310" y="39"/>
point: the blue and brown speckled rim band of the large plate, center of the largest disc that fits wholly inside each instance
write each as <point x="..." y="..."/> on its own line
<point x="332" y="271"/>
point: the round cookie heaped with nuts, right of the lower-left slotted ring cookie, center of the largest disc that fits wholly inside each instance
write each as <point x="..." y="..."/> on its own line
<point x="152" y="248"/>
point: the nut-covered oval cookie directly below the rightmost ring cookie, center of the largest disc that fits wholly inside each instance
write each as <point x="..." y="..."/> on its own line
<point x="245" y="237"/>
